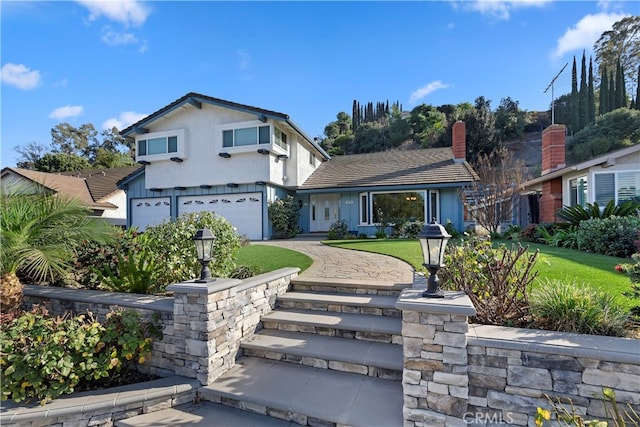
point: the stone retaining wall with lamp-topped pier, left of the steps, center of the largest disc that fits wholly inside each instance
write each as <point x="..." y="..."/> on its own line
<point x="203" y="323"/>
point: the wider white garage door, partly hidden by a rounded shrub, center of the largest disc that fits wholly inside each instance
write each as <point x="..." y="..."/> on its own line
<point x="244" y="211"/>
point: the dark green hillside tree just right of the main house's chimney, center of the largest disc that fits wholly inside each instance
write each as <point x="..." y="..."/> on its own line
<point x="480" y="130"/>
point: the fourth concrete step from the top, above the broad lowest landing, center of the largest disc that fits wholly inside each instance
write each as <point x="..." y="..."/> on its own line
<point x="374" y="359"/>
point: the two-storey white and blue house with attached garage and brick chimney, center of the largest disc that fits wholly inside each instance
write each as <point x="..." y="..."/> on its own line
<point x="207" y="154"/>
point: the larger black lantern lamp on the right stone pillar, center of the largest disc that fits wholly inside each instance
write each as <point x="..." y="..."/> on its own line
<point x="433" y="240"/>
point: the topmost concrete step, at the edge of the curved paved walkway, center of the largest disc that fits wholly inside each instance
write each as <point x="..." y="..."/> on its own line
<point x="348" y="286"/>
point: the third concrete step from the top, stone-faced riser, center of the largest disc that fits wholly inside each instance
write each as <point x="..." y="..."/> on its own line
<point x="365" y="327"/>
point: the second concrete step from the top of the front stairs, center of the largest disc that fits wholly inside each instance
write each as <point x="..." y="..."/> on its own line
<point x="381" y="305"/>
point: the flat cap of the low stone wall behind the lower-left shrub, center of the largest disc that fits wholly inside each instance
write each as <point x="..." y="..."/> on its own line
<point x="122" y="299"/>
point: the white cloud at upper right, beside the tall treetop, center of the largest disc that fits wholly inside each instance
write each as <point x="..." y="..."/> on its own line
<point x="585" y="33"/>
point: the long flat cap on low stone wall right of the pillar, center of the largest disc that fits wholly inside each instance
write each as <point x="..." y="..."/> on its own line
<point x="612" y="349"/>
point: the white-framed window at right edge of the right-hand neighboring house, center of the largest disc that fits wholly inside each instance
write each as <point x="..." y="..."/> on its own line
<point x="617" y="186"/>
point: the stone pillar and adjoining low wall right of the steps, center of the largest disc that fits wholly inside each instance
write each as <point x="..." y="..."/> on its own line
<point x="456" y="374"/>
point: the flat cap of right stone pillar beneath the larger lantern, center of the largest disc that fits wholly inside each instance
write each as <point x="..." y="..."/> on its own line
<point x="456" y="303"/>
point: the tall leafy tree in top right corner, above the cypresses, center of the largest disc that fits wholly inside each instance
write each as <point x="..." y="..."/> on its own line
<point x="622" y="43"/>
